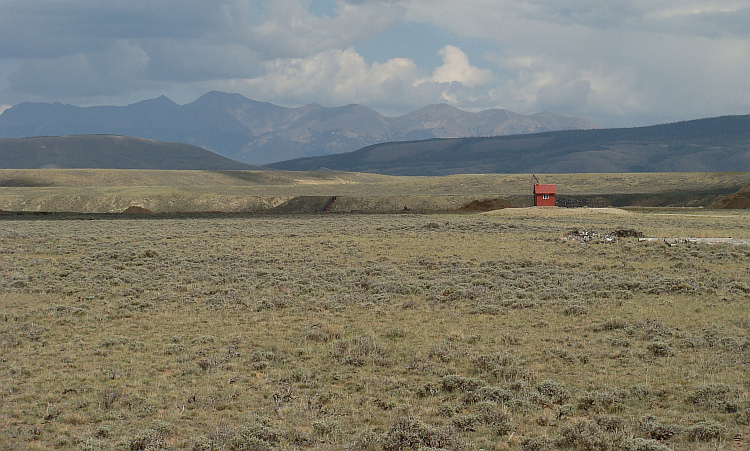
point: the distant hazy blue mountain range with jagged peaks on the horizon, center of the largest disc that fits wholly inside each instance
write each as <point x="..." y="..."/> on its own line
<point x="259" y="133"/>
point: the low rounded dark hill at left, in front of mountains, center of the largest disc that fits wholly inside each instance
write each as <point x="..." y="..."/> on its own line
<point x="108" y="152"/>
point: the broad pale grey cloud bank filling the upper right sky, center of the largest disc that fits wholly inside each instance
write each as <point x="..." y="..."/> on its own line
<point x="643" y="62"/>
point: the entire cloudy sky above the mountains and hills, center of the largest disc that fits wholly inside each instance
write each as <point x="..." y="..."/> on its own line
<point x="619" y="63"/>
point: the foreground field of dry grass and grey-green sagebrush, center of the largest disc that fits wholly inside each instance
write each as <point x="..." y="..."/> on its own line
<point x="376" y="332"/>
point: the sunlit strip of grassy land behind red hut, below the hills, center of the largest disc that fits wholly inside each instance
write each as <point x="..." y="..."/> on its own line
<point x="113" y="191"/>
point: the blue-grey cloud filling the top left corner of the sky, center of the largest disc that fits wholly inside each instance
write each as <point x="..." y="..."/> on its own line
<point x="51" y="28"/>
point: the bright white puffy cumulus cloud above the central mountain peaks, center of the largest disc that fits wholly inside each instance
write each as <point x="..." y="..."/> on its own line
<point x="337" y="77"/>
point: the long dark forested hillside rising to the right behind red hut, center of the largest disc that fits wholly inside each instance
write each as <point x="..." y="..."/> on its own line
<point x="715" y="144"/>
